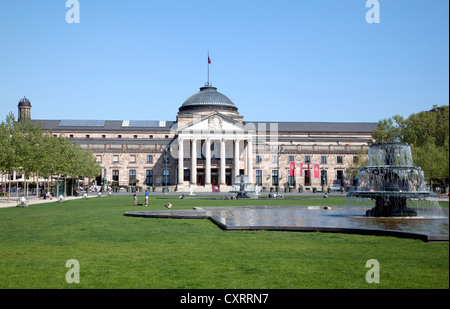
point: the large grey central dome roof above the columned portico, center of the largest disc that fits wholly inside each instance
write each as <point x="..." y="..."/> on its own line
<point x="208" y="98"/>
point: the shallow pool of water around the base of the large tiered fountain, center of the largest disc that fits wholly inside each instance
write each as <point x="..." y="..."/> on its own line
<point x="314" y="216"/>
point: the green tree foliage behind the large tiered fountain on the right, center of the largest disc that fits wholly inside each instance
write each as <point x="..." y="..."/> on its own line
<point x="427" y="133"/>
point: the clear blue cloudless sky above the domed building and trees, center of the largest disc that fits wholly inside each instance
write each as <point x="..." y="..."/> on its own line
<point x="283" y="60"/>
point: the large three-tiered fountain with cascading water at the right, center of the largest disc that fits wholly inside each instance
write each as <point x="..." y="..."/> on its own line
<point x="391" y="179"/>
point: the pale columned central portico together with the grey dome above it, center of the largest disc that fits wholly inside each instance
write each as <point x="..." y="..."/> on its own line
<point x="210" y="120"/>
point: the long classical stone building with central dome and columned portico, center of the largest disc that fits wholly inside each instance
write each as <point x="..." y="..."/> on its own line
<point x="209" y="144"/>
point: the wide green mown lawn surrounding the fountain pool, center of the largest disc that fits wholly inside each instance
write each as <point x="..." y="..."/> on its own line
<point x="115" y="251"/>
